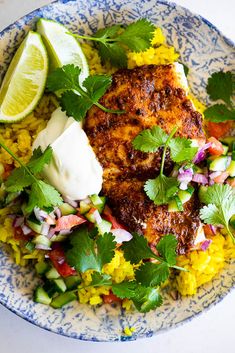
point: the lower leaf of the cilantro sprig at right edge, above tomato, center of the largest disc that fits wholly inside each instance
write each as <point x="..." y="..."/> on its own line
<point x="219" y="113"/>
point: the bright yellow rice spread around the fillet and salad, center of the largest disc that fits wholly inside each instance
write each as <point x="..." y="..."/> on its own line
<point x="202" y="266"/>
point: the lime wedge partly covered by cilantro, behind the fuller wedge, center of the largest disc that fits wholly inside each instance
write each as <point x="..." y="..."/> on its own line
<point x="62" y="48"/>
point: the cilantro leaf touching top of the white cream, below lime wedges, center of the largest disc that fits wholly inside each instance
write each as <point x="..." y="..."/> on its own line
<point x="75" y="105"/>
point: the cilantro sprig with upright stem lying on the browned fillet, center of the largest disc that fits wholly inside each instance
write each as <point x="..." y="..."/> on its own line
<point x="162" y="189"/>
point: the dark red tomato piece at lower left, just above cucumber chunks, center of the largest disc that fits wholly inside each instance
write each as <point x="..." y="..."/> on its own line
<point x="57" y="257"/>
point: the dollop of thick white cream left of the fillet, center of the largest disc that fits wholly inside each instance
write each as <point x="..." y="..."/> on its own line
<point x="74" y="170"/>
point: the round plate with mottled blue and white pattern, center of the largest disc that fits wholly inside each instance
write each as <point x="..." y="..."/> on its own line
<point x="205" y="50"/>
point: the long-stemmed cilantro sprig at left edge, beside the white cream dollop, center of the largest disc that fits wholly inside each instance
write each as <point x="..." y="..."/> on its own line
<point x="25" y="178"/>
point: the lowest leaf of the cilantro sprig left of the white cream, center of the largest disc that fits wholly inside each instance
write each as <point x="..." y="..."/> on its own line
<point x="43" y="195"/>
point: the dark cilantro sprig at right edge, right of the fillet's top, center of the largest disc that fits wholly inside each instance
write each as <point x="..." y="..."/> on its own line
<point x="221" y="86"/>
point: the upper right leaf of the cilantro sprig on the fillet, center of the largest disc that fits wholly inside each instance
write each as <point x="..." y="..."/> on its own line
<point x="181" y="149"/>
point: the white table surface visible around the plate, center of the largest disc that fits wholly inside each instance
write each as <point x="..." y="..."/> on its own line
<point x="213" y="331"/>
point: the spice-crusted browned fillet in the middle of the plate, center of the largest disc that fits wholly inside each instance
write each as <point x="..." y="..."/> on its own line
<point x="150" y="95"/>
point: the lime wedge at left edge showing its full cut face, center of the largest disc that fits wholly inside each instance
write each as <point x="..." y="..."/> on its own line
<point x="25" y="80"/>
